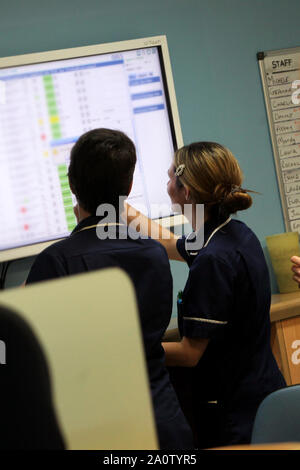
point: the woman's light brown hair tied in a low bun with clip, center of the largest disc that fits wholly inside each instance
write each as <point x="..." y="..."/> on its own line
<point x="213" y="176"/>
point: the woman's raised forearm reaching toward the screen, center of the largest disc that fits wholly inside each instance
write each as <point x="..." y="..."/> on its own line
<point x="148" y="227"/>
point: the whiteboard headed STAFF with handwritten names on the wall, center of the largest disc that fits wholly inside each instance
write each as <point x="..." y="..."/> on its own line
<point x="279" y="72"/>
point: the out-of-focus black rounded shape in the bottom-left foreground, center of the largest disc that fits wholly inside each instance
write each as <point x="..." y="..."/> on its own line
<point x="28" y="418"/>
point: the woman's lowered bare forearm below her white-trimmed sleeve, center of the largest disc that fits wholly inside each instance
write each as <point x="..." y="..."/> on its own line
<point x="186" y="353"/>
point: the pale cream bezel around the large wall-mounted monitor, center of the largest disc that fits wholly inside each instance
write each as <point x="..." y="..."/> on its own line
<point x="85" y="51"/>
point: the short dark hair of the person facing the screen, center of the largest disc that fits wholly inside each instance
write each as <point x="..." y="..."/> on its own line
<point x="101" y="168"/>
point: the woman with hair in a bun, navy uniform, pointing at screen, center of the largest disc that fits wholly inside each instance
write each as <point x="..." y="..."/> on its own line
<point x="223" y="366"/>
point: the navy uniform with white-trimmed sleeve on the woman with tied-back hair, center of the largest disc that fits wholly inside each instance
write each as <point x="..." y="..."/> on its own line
<point x="226" y="299"/>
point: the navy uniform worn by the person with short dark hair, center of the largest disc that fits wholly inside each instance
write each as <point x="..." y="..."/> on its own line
<point x="147" y="264"/>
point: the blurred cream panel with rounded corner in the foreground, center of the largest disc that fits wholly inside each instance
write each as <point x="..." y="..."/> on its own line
<point x="89" y="329"/>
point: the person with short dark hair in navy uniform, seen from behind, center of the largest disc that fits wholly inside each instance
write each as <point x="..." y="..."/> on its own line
<point x="101" y="169"/>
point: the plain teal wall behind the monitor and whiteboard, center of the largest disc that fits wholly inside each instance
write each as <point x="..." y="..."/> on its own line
<point x="213" y="45"/>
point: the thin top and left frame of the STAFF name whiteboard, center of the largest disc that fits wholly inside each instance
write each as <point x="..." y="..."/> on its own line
<point x="261" y="57"/>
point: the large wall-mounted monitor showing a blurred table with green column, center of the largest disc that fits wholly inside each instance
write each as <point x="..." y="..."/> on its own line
<point x="46" y="105"/>
